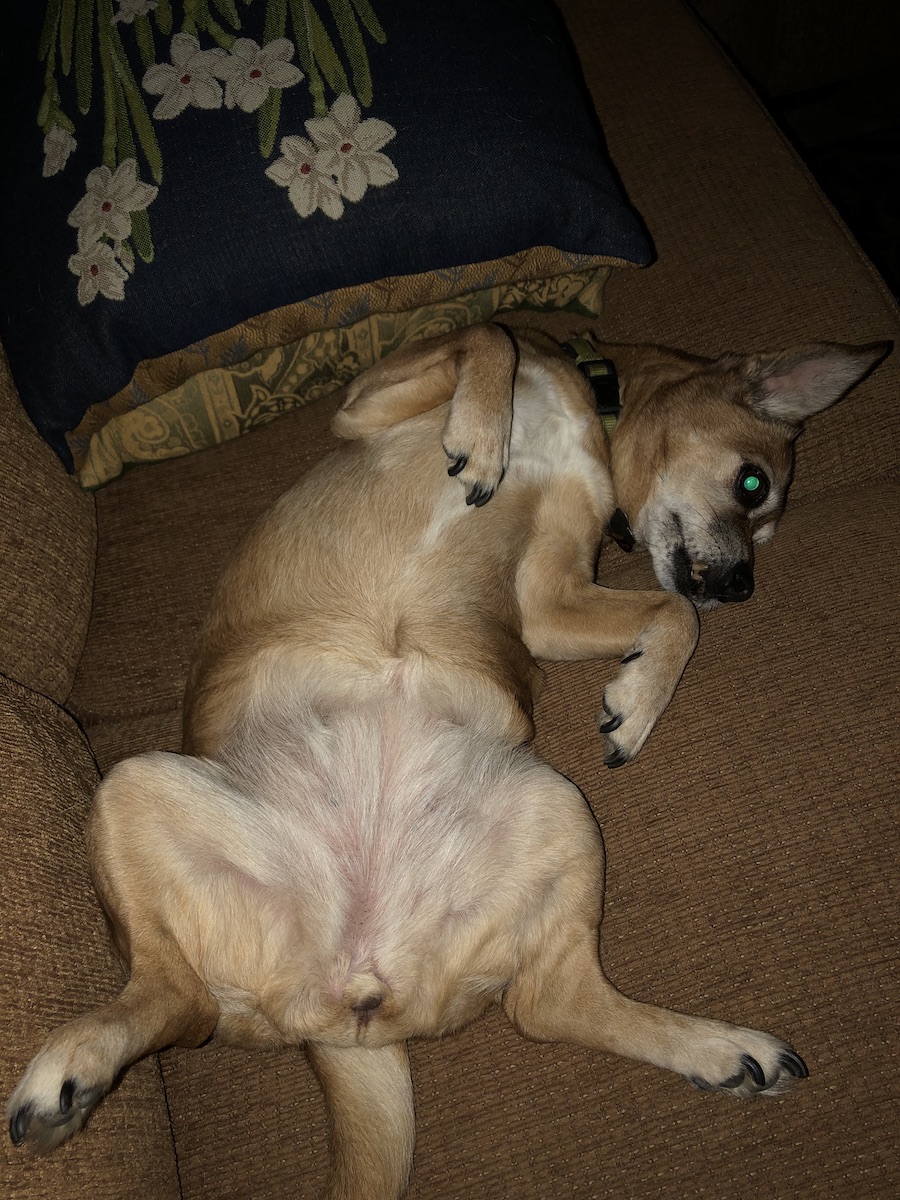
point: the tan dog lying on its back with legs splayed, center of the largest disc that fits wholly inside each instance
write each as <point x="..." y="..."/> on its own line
<point x="358" y="845"/>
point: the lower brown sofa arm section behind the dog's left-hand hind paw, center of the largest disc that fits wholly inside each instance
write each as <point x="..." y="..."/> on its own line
<point x="56" y="961"/>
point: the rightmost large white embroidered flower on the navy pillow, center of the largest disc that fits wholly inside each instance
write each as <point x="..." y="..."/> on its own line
<point x="350" y="148"/>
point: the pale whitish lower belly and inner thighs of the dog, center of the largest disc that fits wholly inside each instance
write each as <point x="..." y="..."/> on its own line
<point x="381" y="873"/>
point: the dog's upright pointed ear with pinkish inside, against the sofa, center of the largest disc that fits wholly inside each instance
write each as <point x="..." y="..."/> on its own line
<point x="791" y="386"/>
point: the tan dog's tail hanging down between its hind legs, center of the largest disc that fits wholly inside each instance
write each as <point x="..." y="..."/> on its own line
<point x="369" y="1094"/>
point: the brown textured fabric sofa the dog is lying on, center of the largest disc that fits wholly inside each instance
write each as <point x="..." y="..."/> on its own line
<point x="752" y="849"/>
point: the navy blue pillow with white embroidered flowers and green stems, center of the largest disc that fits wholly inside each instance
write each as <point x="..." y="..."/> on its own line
<point x="167" y="177"/>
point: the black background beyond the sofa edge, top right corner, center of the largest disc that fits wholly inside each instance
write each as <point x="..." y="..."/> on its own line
<point x="830" y="74"/>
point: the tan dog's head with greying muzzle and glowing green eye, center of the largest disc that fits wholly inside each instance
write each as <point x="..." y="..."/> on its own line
<point x="704" y="453"/>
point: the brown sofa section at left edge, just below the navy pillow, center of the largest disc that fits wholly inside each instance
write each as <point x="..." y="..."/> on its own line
<point x="47" y="548"/>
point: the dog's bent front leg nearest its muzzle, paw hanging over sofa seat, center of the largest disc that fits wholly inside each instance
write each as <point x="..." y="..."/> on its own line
<point x="567" y="616"/>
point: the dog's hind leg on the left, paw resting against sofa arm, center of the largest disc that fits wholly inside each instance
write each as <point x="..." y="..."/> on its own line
<point x="164" y="1004"/>
